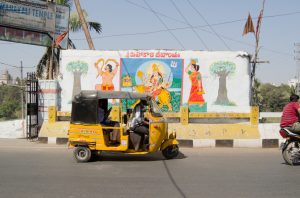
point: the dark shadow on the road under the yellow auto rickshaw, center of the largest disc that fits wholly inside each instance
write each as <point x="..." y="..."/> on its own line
<point x="114" y="156"/>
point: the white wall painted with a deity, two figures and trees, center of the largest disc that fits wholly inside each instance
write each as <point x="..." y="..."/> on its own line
<point x="201" y="80"/>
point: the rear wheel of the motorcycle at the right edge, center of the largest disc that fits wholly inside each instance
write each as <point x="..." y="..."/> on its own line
<point x="291" y="153"/>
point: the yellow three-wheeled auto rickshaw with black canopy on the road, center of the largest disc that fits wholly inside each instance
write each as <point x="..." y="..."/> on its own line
<point x="92" y="125"/>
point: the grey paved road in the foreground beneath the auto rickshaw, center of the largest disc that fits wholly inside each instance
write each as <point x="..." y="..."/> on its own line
<point x="28" y="169"/>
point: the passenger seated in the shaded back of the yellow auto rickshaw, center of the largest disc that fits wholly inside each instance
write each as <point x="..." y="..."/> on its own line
<point x="103" y="115"/>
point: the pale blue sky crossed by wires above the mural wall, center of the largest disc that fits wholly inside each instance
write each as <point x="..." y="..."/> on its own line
<point x="132" y="24"/>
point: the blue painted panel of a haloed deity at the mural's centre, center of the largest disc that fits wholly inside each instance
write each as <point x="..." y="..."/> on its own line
<point x="158" y="77"/>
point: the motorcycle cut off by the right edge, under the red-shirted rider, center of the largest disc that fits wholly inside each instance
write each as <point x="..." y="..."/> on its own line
<point x="291" y="147"/>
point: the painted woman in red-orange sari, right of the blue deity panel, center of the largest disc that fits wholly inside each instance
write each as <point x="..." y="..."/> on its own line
<point x="197" y="91"/>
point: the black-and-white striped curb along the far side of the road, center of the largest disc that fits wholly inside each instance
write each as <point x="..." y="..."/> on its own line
<point x="198" y="143"/>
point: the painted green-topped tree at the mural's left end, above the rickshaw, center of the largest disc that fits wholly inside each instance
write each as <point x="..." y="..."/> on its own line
<point x="77" y="68"/>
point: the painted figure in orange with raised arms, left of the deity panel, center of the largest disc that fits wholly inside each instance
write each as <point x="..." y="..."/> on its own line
<point x="107" y="74"/>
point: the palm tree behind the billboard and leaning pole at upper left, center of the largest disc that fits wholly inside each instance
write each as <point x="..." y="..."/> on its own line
<point x="47" y="69"/>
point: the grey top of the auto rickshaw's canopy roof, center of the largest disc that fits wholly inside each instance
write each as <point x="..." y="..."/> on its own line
<point x="91" y="94"/>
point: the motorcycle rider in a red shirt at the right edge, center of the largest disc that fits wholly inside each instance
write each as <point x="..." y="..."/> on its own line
<point x="290" y="115"/>
